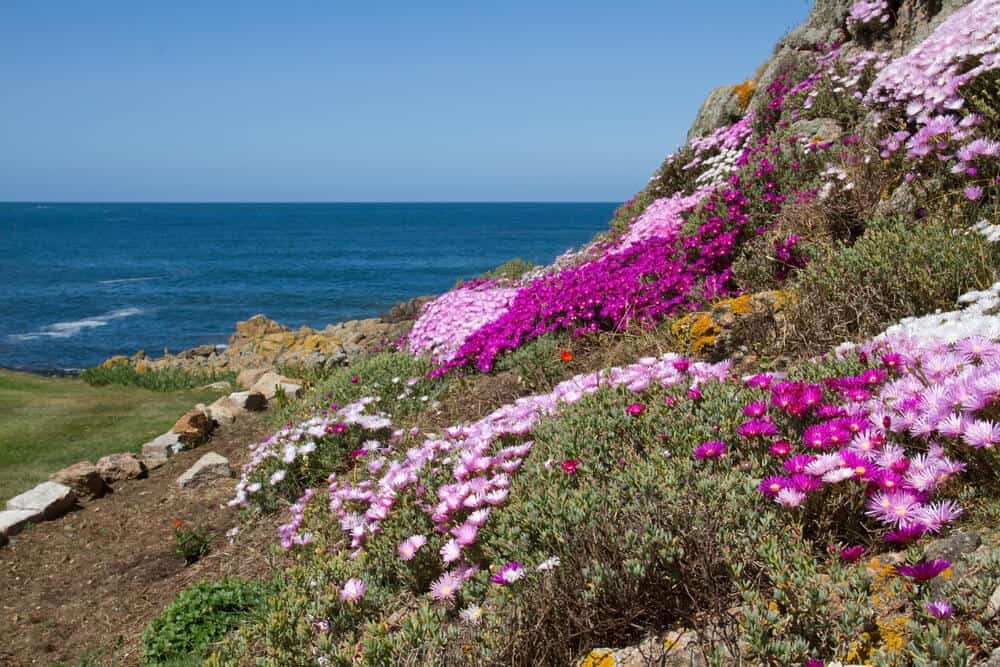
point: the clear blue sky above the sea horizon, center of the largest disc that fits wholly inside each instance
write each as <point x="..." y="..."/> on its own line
<point x="361" y="101"/>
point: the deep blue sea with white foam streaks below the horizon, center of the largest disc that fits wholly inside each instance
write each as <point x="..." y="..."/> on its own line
<point x="81" y="282"/>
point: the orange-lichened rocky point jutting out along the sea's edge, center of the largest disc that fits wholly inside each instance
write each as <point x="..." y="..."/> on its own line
<point x="262" y="342"/>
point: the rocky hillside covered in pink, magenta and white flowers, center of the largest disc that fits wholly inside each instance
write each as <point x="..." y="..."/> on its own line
<point x="755" y="422"/>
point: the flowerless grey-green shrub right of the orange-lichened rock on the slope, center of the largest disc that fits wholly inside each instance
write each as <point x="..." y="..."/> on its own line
<point x="896" y="269"/>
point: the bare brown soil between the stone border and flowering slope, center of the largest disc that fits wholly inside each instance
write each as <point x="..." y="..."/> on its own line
<point x="83" y="587"/>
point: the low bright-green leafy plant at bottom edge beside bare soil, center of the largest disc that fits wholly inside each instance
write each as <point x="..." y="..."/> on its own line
<point x="197" y="618"/>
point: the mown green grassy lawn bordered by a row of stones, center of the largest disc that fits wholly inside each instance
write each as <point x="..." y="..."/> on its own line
<point x="47" y="423"/>
